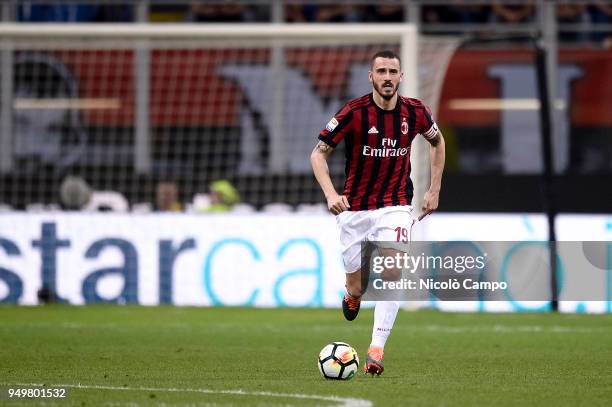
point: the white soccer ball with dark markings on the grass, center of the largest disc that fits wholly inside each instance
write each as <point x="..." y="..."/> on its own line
<point x="338" y="360"/>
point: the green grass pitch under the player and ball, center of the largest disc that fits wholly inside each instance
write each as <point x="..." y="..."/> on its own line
<point x="172" y="356"/>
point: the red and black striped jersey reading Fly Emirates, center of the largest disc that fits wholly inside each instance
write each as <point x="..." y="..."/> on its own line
<point x="378" y="145"/>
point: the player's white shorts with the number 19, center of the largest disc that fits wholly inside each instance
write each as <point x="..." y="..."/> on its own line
<point x="388" y="224"/>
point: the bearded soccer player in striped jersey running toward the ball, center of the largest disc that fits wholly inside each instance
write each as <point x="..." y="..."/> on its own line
<point x="378" y="130"/>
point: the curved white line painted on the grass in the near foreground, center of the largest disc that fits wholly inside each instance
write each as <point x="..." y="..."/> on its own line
<point x="340" y="401"/>
